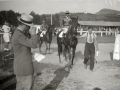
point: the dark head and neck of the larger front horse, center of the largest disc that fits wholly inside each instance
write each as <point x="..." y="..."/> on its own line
<point x="74" y="25"/>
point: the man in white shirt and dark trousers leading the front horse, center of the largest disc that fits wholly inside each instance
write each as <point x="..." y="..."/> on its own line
<point x="90" y="46"/>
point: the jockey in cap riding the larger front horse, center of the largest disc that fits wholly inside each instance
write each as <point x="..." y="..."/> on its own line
<point x="66" y="21"/>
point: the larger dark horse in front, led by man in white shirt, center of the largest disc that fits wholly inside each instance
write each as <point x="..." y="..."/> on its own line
<point x="67" y="46"/>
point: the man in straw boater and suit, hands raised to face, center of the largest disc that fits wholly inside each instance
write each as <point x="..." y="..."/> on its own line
<point x="23" y="65"/>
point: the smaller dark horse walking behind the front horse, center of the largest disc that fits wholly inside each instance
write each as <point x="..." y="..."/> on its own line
<point x="47" y="38"/>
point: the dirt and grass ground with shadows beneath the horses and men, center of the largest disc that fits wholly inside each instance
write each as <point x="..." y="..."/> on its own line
<point x="54" y="76"/>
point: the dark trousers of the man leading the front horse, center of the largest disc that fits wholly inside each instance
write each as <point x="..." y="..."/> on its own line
<point x="89" y="53"/>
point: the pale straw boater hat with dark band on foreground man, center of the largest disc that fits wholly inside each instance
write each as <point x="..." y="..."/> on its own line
<point x="26" y="19"/>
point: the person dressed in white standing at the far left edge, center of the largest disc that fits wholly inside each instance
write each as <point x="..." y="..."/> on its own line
<point x="6" y="35"/>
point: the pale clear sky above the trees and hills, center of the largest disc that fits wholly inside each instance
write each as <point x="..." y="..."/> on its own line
<point x="56" y="6"/>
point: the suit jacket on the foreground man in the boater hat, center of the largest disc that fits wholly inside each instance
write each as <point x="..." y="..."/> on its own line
<point x="22" y="45"/>
